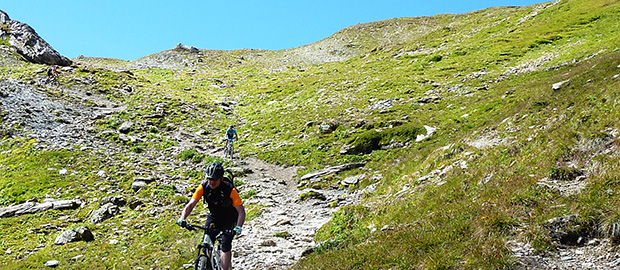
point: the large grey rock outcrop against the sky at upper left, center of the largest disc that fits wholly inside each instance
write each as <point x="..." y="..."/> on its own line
<point x="28" y="43"/>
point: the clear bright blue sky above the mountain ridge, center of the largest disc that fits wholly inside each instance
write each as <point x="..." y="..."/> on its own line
<point x="128" y="29"/>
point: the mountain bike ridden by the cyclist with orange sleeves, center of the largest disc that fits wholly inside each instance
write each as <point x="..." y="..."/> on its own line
<point x="208" y="256"/>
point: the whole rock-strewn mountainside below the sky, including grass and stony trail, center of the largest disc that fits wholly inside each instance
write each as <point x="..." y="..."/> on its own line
<point x="485" y="140"/>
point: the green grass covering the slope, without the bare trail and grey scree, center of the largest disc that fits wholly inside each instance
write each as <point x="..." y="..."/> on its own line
<point x="468" y="61"/>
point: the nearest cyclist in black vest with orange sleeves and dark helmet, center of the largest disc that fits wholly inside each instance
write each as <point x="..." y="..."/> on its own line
<point x="225" y="207"/>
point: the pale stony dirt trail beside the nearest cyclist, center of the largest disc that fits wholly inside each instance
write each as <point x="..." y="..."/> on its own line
<point x="286" y="227"/>
